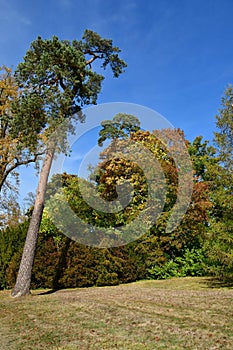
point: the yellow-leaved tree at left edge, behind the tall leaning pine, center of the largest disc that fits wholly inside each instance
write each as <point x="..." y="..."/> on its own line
<point x="14" y="151"/>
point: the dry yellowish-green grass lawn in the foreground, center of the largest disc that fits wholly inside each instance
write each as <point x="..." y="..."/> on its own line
<point x="184" y="313"/>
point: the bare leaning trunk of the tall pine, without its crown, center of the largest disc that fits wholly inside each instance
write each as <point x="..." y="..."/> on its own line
<point x="22" y="286"/>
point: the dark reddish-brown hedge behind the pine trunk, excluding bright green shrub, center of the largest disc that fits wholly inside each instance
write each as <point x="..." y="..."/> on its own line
<point x="62" y="263"/>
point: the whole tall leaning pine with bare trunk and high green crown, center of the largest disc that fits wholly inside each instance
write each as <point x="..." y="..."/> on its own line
<point x="58" y="80"/>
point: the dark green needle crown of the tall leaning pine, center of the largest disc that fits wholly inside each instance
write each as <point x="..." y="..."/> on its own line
<point x="57" y="80"/>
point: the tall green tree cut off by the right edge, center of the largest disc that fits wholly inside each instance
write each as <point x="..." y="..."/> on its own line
<point x="221" y="228"/>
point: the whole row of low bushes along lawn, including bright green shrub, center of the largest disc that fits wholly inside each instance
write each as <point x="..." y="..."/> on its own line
<point x="63" y="263"/>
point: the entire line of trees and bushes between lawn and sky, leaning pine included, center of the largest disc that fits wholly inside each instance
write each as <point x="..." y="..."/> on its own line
<point x="54" y="82"/>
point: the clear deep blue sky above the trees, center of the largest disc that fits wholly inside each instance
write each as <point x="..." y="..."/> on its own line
<point x="179" y="53"/>
